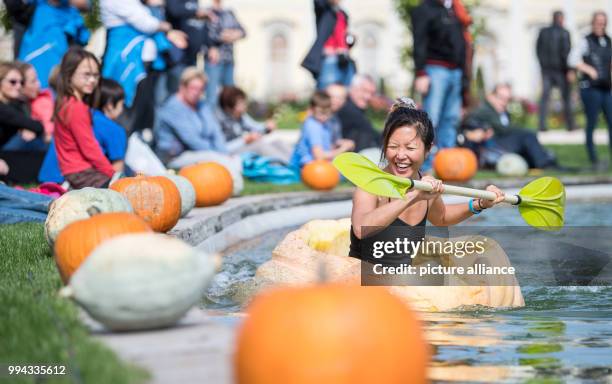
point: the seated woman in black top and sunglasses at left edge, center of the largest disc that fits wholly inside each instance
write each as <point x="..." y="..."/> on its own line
<point x="21" y="144"/>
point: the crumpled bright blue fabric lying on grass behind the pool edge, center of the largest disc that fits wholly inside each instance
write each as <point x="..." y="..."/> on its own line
<point x="268" y="170"/>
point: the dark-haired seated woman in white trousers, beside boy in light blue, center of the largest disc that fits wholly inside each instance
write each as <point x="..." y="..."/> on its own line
<point x="243" y="133"/>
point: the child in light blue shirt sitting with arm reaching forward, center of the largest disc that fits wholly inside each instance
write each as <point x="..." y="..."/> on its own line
<point x="318" y="140"/>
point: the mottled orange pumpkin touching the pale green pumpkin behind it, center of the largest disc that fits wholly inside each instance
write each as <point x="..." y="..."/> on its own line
<point x="156" y="199"/>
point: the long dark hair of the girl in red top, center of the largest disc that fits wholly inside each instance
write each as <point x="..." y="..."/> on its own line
<point x="63" y="83"/>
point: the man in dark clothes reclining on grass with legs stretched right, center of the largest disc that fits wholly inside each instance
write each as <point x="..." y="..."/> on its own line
<point x="493" y="113"/>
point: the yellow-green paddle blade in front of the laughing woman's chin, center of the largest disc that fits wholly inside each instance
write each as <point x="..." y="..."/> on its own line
<point x="366" y="175"/>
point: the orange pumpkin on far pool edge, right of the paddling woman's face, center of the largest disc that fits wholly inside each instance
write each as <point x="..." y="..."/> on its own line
<point x="455" y="164"/>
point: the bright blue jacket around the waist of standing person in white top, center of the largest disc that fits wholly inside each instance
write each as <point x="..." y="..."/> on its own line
<point x="123" y="57"/>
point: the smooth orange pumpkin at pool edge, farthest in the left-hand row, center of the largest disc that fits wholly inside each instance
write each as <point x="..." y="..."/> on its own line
<point x="212" y="181"/>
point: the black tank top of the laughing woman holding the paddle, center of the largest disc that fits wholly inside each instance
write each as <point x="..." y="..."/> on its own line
<point x="396" y="229"/>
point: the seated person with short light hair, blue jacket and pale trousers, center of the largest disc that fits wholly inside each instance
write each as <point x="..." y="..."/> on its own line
<point x="186" y="131"/>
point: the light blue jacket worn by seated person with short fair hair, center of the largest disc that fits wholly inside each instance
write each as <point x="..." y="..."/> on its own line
<point x="179" y="128"/>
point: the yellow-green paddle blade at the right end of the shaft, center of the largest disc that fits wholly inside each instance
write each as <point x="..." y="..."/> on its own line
<point x="543" y="203"/>
